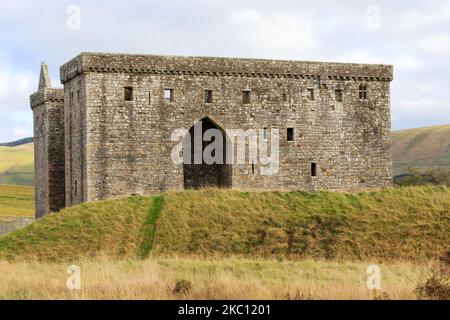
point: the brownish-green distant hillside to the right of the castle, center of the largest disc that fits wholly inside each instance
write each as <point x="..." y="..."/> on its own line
<point x="422" y="148"/>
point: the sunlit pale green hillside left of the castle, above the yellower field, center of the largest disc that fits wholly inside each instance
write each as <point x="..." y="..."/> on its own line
<point x="16" y="165"/>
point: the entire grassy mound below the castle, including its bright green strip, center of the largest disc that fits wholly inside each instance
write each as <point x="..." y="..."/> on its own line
<point x="401" y="223"/>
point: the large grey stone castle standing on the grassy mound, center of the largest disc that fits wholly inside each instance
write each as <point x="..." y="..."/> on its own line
<point x="107" y="132"/>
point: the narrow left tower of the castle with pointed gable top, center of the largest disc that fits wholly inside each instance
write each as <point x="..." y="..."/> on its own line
<point x="48" y="116"/>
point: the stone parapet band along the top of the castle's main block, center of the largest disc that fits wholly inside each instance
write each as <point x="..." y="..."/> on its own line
<point x="211" y="66"/>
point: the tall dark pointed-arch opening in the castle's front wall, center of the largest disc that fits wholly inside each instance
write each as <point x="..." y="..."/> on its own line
<point x="198" y="170"/>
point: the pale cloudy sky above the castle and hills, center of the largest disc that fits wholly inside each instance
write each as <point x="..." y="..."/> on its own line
<point x="414" y="36"/>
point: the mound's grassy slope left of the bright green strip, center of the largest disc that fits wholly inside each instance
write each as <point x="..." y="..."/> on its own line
<point x="111" y="228"/>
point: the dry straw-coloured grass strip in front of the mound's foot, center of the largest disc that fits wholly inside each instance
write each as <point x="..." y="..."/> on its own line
<point x="230" y="278"/>
